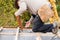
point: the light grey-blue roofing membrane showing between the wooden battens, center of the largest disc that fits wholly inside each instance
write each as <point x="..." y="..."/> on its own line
<point x="12" y="37"/>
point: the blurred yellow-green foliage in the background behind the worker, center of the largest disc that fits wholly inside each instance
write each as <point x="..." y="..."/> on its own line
<point x="7" y="10"/>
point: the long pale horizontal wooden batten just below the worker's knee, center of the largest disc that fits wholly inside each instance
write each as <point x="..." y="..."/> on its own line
<point x="29" y="34"/>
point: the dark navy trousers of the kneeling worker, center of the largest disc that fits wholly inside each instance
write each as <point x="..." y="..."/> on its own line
<point x="39" y="26"/>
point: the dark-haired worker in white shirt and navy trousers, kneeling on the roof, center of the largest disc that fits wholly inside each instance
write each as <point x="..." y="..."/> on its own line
<point x="33" y="6"/>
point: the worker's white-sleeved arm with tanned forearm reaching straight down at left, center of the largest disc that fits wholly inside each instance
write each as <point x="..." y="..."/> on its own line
<point x="22" y="8"/>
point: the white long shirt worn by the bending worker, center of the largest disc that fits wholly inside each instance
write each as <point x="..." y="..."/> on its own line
<point x="31" y="5"/>
